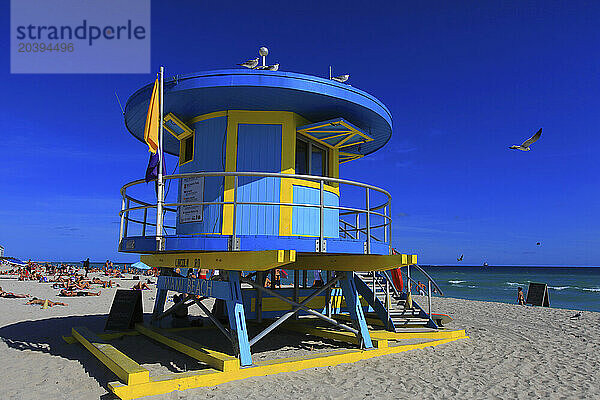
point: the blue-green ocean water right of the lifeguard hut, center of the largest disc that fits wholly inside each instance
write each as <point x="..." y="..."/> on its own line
<point x="576" y="288"/>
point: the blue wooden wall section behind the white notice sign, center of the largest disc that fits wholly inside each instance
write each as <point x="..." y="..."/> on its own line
<point x="209" y="155"/>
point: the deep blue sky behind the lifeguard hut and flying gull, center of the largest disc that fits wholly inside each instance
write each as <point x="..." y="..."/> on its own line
<point x="463" y="81"/>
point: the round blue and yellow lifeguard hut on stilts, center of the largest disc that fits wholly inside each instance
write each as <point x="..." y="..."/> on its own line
<point x="258" y="189"/>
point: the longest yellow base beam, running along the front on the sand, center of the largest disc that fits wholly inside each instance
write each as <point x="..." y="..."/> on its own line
<point x="189" y="380"/>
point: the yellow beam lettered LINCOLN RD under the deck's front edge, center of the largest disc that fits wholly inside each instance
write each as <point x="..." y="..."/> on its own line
<point x="227" y="260"/>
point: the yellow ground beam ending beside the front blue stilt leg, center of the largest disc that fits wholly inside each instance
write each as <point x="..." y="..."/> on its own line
<point x="215" y="359"/>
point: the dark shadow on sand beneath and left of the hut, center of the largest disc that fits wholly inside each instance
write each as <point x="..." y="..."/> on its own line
<point x="46" y="336"/>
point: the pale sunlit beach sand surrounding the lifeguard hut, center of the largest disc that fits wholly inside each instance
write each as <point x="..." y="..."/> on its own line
<point x="513" y="352"/>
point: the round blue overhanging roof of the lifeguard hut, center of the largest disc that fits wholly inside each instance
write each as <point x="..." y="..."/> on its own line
<point x="316" y="99"/>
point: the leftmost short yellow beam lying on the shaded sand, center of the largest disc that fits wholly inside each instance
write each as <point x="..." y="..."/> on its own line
<point x="130" y="372"/>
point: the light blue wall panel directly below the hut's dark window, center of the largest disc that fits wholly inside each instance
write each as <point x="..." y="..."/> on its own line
<point x="305" y="220"/>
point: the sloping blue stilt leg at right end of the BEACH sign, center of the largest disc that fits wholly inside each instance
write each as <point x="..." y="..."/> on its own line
<point x="237" y="319"/>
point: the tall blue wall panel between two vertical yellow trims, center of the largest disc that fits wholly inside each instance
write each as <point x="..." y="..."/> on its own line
<point x="259" y="150"/>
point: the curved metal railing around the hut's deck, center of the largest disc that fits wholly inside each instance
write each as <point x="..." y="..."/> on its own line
<point x="376" y="227"/>
